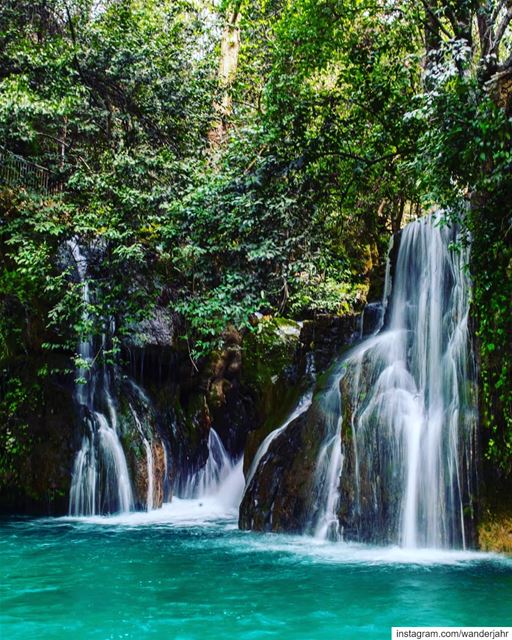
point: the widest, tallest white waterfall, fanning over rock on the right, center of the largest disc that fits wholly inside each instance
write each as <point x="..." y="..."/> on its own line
<point x="396" y="462"/>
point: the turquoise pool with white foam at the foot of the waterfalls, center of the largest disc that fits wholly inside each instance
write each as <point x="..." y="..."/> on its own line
<point x="181" y="575"/>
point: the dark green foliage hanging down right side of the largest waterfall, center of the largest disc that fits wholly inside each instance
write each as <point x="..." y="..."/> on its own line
<point x="464" y="163"/>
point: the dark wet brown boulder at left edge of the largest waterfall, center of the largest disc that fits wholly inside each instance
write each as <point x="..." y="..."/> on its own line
<point x="283" y="494"/>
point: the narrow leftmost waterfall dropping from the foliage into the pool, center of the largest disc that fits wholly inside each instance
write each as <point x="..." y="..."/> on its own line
<point x="100" y="481"/>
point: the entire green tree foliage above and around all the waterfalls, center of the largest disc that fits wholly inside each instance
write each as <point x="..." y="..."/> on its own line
<point x="347" y="119"/>
